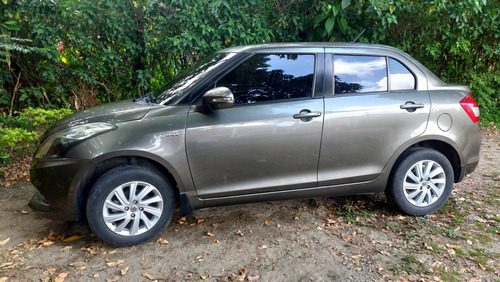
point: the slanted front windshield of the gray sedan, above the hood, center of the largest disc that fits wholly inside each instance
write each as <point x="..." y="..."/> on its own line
<point x="173" y="90"/>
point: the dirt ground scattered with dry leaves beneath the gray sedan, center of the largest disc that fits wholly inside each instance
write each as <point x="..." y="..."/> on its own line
<point x="328" y="239"/>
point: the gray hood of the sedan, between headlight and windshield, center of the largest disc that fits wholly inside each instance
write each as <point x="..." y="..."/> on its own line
<point x="113" y="112"/>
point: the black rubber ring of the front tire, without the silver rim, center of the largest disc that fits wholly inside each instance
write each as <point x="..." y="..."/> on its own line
<point x="116" y="177"/>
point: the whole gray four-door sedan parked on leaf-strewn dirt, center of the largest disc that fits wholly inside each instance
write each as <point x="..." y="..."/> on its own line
<point x="261" y="123"/>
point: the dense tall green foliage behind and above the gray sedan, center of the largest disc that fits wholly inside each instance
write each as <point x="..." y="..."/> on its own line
<point x="82" y="53"/>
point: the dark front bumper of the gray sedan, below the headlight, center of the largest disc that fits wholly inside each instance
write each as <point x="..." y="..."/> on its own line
<point x="56" y="181"/>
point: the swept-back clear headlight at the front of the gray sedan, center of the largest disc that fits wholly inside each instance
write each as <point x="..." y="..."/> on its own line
<point x="57" y="145"/>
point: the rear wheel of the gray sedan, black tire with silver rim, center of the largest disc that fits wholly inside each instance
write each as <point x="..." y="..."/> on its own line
<point x="421" y="182"/>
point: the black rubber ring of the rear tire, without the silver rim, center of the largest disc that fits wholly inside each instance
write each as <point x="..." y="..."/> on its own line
<point x="395" y="191"/>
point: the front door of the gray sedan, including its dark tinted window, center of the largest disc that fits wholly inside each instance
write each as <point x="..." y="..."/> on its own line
<point x="270" y="139"/>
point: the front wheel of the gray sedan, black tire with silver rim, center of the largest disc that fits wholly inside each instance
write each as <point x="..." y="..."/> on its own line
<point x="122" y="220"/>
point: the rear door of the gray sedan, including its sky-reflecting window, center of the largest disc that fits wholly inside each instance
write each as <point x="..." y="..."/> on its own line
<point x="379" y="103"/>
